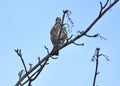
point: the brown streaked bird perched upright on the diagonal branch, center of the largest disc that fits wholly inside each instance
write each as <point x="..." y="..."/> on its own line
<point x="58" y="35"/>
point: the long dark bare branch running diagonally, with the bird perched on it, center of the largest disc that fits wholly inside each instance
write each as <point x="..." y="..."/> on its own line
<point x="44" y="60"/>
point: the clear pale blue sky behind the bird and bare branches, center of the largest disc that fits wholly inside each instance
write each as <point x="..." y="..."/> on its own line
<point x="26" y="24"/>
